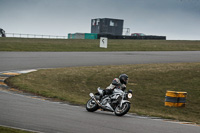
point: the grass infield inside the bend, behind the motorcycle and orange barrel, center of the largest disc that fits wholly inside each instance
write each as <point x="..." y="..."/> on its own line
<point x="149" y="83"/>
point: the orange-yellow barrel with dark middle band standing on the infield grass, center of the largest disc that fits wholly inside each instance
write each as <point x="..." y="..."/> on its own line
<point x="175" y="99"/>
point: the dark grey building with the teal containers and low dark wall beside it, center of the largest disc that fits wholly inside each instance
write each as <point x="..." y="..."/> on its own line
<point x="111" y="29"/>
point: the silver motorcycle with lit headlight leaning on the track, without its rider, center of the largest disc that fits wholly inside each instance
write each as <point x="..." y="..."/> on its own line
<point x="117" y="102"/>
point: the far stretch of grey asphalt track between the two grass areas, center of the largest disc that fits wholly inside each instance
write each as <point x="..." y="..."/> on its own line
<point x="33" y="60"/>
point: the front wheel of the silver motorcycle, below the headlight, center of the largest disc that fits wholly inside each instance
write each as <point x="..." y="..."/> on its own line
<point x="123" y="110"/>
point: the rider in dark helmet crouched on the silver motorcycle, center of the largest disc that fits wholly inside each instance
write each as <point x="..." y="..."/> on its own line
<point x="117" y="83"/>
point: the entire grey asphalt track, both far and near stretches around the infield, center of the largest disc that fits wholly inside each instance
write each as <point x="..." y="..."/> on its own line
<point x="32" y="113"/>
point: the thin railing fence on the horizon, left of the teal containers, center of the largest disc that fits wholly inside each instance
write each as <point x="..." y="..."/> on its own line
<point x="18" y="35"/>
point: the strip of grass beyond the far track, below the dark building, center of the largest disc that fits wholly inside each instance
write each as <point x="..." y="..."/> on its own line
<point x="22" y="44"/>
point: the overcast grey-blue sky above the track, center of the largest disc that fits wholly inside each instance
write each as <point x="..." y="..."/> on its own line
<point x="176" y="19"/>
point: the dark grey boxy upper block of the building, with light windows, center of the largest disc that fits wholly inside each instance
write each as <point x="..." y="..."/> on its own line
<point x="107" y="26"/>
